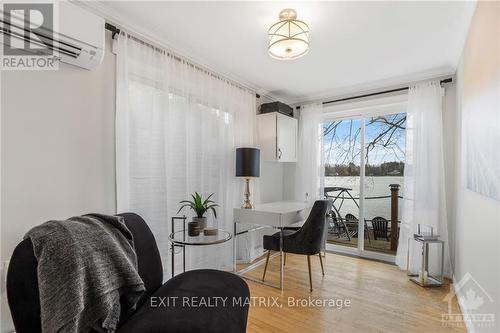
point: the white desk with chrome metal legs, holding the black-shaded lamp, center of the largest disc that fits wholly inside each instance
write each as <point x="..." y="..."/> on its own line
<point x="274" y="214"/>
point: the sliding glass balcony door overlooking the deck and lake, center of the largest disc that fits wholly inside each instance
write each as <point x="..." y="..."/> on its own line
<point x="364" y="164"/>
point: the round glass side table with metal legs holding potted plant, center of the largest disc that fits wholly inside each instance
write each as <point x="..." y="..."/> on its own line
<point x="182" y="239"/>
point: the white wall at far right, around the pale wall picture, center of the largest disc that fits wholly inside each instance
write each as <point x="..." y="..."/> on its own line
<point x="477" y="227"/>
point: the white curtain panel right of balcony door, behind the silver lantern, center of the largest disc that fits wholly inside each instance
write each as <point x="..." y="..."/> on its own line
<point x="424" y="185"/>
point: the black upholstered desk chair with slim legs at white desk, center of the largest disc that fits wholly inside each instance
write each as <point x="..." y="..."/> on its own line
<point x="308" y="240"/>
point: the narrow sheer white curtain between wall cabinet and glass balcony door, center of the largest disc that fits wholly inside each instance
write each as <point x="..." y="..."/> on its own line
<point x="309" y="167"/>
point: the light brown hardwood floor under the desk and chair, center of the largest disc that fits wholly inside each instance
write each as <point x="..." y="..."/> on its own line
<point x="382" y="299"/>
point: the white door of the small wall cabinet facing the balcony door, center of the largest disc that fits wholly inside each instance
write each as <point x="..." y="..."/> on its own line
<point x="287" y="138"/>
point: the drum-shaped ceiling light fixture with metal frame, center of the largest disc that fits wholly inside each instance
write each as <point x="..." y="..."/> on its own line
<point x="288" y="38"/>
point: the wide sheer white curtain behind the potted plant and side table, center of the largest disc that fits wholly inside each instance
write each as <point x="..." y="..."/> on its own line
<point x="177" y="127"/>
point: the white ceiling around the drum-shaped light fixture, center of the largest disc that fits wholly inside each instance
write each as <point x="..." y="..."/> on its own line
<point x="355" y="46"/>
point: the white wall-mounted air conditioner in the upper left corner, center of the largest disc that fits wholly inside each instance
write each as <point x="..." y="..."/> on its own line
<point x="76" y="36"/>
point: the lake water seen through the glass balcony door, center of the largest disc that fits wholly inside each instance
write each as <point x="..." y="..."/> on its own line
<point x="374" y="186"/>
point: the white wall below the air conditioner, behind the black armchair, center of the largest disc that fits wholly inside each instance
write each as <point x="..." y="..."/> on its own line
<point x="57" y="141"/>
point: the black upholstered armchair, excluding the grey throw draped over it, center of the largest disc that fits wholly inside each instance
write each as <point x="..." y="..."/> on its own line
<point x="23" y="296"/>
